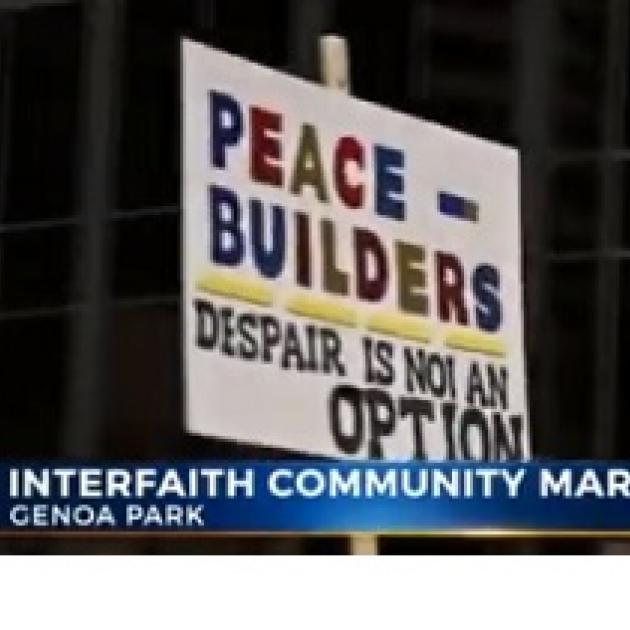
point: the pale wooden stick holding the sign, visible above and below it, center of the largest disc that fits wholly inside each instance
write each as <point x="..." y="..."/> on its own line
<point x="334" y="62"/>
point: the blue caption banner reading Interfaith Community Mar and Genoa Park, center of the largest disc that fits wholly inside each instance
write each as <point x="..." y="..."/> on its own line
<point x="316" y="497"/>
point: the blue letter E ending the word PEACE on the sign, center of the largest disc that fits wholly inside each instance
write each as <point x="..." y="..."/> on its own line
<point x="390" y="185"/>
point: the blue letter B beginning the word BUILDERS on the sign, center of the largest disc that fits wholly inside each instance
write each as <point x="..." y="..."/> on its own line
<point x="227" y="238"/>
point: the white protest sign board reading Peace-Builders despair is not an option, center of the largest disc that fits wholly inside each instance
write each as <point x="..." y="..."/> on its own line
<point x="352" y="282"/>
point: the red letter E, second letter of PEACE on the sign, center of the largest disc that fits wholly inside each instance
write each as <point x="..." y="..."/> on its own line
<point x="265" y="146"/>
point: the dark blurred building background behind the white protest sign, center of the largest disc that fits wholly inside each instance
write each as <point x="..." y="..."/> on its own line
<point x="90" y="352"/>
